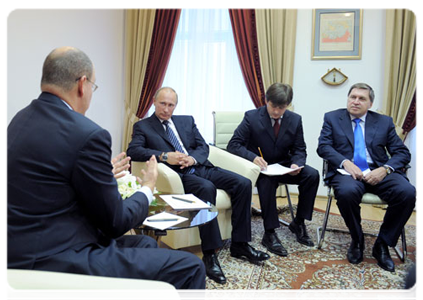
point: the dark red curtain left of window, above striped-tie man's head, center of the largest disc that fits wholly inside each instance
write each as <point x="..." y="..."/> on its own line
<point x="164" y="32"/>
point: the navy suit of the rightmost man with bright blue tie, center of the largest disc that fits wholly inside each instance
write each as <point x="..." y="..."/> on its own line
<point x="336" y="143"/>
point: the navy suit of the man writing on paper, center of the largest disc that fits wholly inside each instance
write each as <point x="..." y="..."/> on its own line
<point x="256" y="131"/>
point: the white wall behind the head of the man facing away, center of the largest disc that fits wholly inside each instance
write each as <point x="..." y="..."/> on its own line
<point x="32" y="33"/>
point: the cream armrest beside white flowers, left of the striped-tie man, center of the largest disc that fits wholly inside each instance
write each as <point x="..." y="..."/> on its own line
<point x="168" y="180"/>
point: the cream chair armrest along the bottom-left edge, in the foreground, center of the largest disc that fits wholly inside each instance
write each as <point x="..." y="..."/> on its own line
<point x="37" y="285"/>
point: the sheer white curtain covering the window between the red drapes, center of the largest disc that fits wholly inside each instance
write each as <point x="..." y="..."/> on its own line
<point x="204" y="68"/>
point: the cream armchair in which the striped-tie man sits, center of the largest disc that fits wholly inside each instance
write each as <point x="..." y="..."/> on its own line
<point x="170" y="182"/>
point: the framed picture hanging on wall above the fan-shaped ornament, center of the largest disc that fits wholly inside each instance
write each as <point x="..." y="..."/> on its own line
<point x="337" y="33"/>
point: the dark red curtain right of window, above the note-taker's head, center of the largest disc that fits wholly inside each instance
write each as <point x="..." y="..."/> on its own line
<point x="243" y="22"/>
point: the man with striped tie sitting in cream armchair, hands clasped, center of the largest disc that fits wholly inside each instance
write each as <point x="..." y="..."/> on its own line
<point x="176" y="141"/>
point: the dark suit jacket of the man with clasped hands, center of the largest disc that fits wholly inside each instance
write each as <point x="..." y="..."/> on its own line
<point x="149" y="138"/>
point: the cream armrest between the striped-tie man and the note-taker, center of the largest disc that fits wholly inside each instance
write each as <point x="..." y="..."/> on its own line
<point x="234" y="163"/>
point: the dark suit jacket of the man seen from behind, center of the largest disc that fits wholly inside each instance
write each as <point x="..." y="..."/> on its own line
<point x="60" y="191"/>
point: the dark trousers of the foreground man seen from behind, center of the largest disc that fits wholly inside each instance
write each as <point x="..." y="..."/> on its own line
<point x="133" y="256"/>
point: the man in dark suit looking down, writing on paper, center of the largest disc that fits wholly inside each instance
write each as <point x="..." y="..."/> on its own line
<point x="272" y="134"/>
